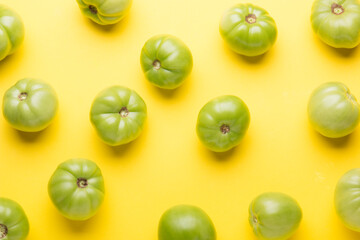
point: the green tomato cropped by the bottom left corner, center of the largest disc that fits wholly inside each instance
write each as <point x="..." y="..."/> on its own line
<point x="14" y="224"/>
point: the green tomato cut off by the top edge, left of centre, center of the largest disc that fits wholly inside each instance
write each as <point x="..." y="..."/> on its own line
<point x="105" y="12"/>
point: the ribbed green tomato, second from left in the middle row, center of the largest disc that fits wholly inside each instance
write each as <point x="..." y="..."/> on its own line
<point x="118" y="115"/>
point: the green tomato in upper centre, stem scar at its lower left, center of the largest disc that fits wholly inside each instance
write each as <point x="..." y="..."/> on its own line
<point x="166" y="61"/>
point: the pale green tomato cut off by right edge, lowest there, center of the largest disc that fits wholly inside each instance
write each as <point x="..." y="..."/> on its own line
<point x="347" y="199"/>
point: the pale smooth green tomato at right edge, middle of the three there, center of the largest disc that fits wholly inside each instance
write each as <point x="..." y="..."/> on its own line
<point x="333" y="111"/>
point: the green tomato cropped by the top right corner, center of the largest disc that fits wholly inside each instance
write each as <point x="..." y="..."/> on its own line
<point x="337" y="22"/>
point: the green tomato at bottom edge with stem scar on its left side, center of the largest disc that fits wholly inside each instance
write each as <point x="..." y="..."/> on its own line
<point x="274" y="216"/>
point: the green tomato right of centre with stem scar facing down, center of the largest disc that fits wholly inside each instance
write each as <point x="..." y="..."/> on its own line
<point x="222" y="123"/>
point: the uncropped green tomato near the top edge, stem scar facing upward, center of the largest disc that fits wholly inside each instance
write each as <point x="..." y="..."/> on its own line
<point x="248" y="29"/>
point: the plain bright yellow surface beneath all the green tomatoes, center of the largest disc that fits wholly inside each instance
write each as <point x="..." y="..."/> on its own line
<point x="167" y="165"/>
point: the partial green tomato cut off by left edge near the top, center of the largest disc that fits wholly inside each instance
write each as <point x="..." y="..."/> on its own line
<point x="11" y="31"/>
